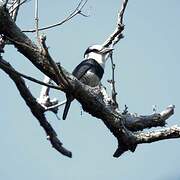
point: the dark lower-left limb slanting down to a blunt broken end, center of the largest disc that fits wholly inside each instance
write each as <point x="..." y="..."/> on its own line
<point x="36" y="109"/>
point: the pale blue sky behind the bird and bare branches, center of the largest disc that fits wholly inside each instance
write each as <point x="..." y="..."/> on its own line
<point x="147" y="73"/>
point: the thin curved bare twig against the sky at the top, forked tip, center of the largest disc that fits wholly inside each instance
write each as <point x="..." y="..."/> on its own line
<point x="78" y="10"/>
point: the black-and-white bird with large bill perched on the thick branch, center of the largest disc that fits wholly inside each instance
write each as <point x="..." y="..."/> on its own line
<point x="90" y="71"/>
